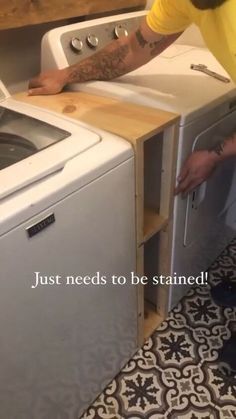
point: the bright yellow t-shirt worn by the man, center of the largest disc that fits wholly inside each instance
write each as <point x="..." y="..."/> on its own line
<point x="218" y="26"/>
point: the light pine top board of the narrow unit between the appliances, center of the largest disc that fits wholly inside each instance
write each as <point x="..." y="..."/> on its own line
<point x="127" y="120"/>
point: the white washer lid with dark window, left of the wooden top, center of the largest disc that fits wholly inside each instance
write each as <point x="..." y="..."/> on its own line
<point x="31" y="148"/>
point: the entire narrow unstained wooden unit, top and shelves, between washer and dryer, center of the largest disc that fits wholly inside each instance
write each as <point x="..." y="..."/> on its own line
<point x="153" y="134"/>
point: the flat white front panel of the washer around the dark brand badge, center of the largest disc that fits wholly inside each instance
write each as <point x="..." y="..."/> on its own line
<point x="61" y="344"/>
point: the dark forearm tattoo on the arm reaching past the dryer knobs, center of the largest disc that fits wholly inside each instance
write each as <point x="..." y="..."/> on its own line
<point x="105" y="65"/>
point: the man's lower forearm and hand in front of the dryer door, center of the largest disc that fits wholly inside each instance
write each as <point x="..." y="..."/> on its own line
<point x="200" y="164"/>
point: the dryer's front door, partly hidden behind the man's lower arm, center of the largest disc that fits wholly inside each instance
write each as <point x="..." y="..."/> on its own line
<point x="213" y="201"/>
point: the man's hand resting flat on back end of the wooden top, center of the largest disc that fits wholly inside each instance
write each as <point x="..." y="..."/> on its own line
<point x="48" y="83"/>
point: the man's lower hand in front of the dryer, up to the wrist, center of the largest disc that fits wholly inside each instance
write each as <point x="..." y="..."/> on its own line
<point x="196" y="169"/>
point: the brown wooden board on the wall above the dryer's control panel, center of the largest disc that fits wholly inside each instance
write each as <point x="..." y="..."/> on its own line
<point x="16" y="13"/>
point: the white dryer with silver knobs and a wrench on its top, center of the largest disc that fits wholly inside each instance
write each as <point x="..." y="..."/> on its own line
<point x="205" y="221"/>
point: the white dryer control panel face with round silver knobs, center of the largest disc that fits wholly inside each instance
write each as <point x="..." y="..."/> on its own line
<point x="80" y="43"/>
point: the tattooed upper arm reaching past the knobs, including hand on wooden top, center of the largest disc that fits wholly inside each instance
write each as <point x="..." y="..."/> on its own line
<point x="117" y="58"/>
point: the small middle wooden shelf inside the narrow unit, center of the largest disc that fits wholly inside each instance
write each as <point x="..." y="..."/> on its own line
<point x="153" y="223"/>
